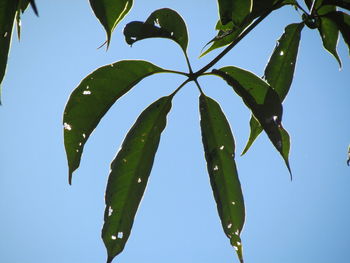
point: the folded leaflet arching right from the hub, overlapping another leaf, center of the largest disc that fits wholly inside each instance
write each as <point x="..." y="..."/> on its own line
<point x="264" y="103"/>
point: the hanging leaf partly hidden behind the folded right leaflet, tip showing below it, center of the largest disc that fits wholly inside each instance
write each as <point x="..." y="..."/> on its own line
<point x="279" y="71"/>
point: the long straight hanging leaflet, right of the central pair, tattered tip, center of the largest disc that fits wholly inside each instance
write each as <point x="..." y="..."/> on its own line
<point x="219" y="148"/>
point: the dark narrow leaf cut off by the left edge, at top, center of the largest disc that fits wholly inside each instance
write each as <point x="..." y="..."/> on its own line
<point x="7" y="16"/>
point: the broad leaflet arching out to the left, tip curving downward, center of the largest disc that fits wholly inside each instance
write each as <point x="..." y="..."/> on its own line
<point x="89" y="102"/>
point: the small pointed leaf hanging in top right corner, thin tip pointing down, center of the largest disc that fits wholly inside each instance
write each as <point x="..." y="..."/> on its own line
<point x="329" y="31"/>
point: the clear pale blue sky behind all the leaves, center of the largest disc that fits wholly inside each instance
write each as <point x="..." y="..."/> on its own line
<point x="43" y="219"/>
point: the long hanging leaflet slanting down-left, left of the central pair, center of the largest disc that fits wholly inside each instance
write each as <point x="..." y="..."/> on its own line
<point x="129" y="174"/>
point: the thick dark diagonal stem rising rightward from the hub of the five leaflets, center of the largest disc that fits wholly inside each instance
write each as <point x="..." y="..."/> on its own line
<point x="235" y="42"/>
